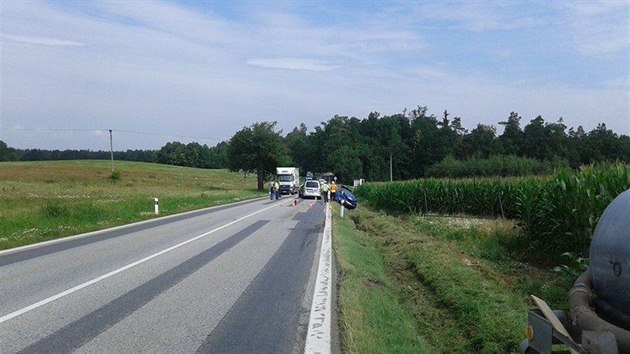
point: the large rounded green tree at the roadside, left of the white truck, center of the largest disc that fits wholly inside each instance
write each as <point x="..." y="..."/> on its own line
<point x="258" y="148"/>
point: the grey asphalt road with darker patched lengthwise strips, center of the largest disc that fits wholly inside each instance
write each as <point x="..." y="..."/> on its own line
<point x="235" y="279"/>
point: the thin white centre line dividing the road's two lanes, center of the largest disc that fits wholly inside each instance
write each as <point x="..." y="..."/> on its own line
<point x="122" y="269"/>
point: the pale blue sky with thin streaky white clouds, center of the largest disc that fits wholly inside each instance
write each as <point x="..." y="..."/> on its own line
<point x="160" y="71"/>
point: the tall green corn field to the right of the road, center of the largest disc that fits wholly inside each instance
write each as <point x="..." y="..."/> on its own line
<point x="556" y="213"/>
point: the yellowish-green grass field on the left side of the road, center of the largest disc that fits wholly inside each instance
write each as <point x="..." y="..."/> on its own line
<point x="45" y="200"/>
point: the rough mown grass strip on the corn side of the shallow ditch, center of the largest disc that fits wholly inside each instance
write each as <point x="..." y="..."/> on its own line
<point x="491" y="318"/>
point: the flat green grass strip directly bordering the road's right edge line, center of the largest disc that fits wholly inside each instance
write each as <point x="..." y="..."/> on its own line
<point x="371" y="319"/>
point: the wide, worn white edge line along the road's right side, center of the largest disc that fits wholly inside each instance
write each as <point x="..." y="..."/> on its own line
<point x="318" y="336"/>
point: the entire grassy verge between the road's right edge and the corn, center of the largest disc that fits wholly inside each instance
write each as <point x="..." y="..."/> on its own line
<point x="461" y="282"/>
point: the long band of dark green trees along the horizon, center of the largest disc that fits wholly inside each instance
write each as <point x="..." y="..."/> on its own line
<point x="412" y="141"/>
